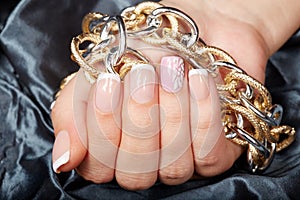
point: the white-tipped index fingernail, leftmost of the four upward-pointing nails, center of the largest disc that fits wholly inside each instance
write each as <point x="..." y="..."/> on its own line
<point x="108" y="92"/>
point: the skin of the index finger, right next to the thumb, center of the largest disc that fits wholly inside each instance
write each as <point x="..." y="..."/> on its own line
<point x="103" y="136"/>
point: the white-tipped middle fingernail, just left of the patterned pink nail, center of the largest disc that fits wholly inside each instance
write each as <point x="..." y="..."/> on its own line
<point x="142" y="82"/>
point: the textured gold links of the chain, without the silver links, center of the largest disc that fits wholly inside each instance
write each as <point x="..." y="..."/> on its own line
<point x="235" y="81"/>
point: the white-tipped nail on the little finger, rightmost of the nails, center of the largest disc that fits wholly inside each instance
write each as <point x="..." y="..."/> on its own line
<point x="198" y="83"/>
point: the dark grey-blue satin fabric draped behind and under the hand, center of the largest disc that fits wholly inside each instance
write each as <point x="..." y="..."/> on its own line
<point x="34" y="57"/>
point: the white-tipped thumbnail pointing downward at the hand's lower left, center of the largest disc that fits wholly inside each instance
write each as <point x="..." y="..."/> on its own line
<point x="61" y="150"/>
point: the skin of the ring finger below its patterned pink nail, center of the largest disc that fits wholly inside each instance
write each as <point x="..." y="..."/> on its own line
<point x="176" y="158"/>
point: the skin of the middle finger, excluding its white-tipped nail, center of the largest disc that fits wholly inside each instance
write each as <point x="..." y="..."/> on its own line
<point x="137" y="161"/>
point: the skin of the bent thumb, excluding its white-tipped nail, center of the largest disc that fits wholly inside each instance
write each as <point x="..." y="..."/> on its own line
<point x="69" y="115"/>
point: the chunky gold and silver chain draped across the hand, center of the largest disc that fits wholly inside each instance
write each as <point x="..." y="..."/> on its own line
<point x="249" y="118"/>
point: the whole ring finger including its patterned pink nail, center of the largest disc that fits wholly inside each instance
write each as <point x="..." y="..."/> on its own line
<point x="176" y="159"/>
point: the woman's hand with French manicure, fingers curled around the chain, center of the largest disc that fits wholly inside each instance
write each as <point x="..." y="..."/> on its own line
<point x="162" y="122"/>
